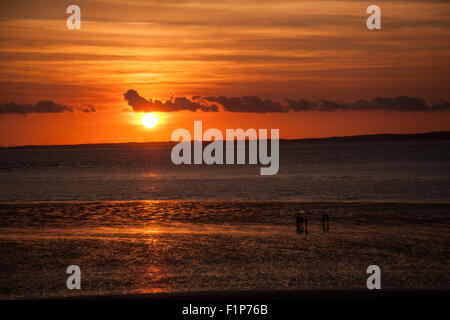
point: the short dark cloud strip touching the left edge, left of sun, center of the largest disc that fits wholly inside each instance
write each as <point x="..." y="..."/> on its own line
<point x="46" y="106"/>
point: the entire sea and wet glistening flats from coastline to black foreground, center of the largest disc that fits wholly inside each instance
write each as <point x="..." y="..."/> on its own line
<point x="64" y="206"/>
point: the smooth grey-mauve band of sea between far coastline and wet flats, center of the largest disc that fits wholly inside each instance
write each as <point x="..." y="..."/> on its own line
<point x="400" y="171"/>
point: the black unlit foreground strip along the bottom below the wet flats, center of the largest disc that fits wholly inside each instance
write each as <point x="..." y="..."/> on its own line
<point x="359" y="304"/>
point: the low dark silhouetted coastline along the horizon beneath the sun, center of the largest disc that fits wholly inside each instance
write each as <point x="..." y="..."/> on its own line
<point x="436" y="135"/>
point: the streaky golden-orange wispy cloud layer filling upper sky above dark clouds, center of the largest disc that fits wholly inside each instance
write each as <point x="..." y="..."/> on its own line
<point x="282" y="48"/>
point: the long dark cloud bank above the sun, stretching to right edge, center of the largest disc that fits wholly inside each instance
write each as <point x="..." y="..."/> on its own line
<point x="254" y="104"/>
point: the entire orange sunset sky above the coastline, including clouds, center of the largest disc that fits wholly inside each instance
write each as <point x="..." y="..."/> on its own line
<point x="300" y="66"/>
